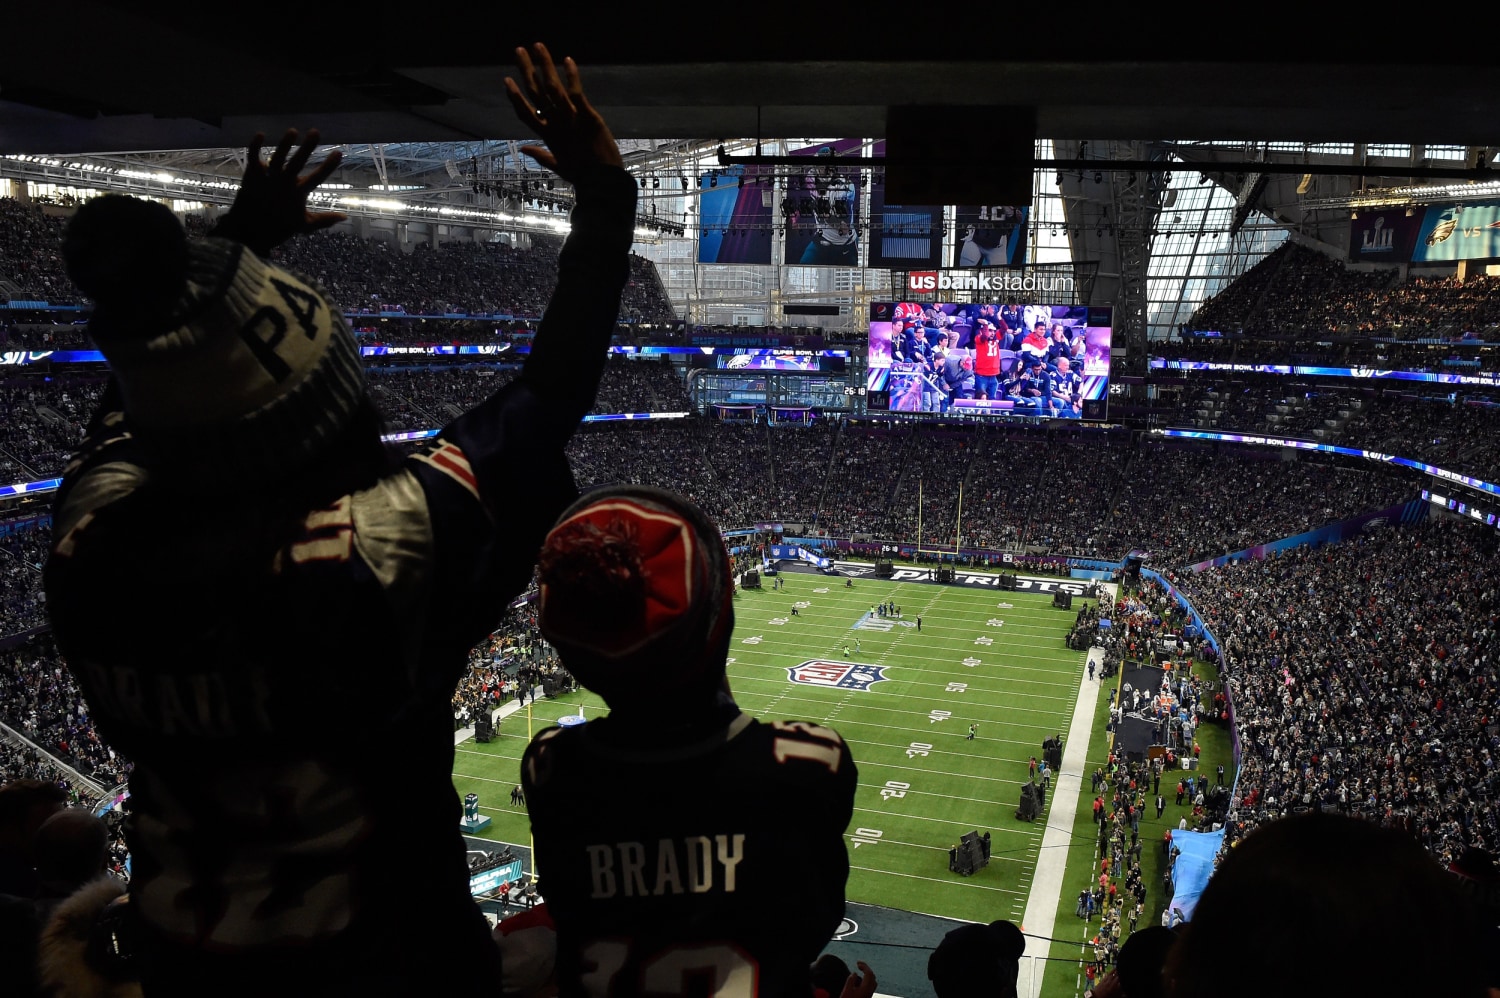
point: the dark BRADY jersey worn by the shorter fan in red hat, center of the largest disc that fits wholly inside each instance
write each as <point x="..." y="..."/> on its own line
<point x="710" y="867"/>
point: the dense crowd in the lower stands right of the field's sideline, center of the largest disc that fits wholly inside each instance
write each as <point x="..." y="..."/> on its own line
<point x="1366" y="681"/>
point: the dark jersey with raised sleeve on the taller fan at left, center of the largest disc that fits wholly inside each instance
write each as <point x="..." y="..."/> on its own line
<point x="281" y="672"/>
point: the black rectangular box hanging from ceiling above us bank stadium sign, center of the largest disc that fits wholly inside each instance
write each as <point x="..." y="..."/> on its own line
<point x="1000" y="148"/>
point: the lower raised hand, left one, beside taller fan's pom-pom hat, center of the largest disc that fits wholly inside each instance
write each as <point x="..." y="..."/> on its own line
<point x="272" y="205"/>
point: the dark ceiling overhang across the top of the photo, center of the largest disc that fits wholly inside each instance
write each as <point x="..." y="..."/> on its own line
<point x="109" y="77"/>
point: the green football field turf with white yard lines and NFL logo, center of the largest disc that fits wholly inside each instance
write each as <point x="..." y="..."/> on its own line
<point x="982" y="658"/>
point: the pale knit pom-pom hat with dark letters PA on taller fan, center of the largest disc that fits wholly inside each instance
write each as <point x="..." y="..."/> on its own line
<point x="224" y="361"/>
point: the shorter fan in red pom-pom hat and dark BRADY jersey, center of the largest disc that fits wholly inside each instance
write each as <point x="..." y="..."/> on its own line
<point x="683" y="846"/>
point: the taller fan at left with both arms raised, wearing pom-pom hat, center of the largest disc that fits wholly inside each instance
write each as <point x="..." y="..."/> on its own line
<point x="233" y="543"/>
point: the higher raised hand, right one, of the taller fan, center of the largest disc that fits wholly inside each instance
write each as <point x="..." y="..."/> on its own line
<point x="556" y="109"/>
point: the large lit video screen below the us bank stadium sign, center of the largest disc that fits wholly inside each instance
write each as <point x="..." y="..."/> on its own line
<point x="1051" y="361"/>
